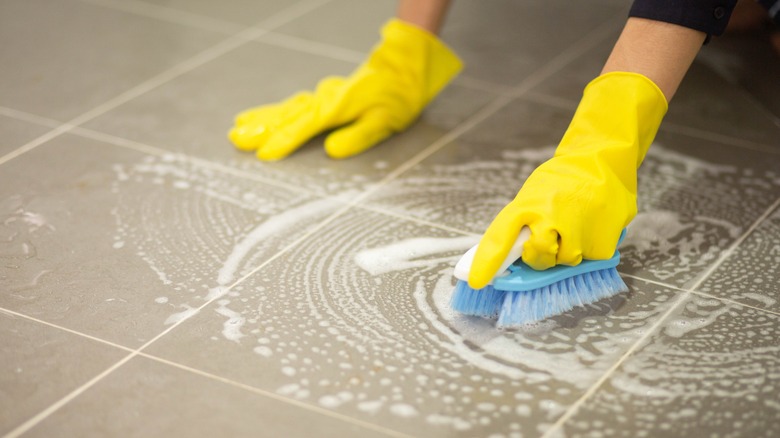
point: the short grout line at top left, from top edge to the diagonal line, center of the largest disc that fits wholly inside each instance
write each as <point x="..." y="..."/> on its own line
<point x="170" y="15"/>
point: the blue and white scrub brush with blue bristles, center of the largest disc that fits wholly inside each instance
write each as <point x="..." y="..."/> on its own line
<point x="520" y="294"/>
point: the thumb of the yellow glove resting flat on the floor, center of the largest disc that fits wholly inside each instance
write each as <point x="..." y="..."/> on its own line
<point x="370" y="129"/>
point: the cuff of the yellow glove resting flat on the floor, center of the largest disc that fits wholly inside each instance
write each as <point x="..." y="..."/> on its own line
<point x="427" y="56"/>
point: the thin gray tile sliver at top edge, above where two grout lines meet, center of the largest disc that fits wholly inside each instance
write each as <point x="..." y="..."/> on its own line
<point x="247" y="12"/>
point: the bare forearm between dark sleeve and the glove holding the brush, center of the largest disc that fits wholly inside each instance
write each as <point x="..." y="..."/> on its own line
<point x="661" y="51"/>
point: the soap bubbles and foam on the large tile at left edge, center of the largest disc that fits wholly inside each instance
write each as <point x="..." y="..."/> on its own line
<point x="186" y="220"/>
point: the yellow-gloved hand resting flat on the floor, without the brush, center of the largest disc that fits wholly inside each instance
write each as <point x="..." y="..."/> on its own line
<point x="383" y="96"/>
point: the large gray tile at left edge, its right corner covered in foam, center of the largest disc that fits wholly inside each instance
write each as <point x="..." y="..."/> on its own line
<point x="113" y="243"/>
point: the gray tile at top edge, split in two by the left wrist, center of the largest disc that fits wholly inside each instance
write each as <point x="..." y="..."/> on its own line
<point x="500" y="41"/>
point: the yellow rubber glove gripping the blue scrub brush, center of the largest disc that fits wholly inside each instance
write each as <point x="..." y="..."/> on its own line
<point x="577" y="203"/>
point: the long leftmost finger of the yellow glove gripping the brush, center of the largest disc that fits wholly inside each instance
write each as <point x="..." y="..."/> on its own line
<point x="494" y="247"/>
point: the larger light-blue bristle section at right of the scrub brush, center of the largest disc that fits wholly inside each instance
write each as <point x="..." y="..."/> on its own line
<point x="524" y="307"/>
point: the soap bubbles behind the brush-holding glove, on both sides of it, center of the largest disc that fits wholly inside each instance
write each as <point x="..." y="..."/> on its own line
<point x="689" y="209"/>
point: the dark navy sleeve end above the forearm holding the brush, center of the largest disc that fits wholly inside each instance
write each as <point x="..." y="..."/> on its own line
<point x="708" y="16"/>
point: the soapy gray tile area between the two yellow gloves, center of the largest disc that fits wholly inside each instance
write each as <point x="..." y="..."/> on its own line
<point x="465" y="184"/>
